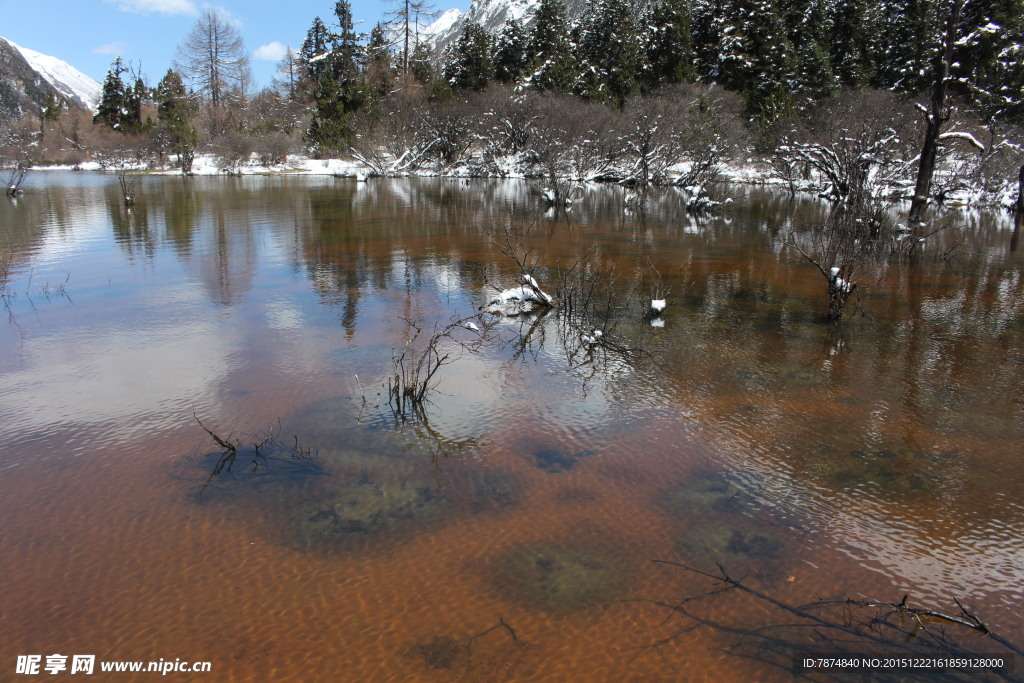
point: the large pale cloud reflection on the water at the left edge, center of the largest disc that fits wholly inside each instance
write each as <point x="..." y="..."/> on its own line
<point x="130" y="376"/>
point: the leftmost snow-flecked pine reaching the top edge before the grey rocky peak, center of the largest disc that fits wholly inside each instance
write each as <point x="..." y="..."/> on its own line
<point x="550" y="53"/>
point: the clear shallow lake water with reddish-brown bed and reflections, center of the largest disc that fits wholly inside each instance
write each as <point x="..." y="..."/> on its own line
<point x="880" y="459"/>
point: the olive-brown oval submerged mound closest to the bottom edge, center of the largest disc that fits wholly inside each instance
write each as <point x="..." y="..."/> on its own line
<point x="562" y="578"/>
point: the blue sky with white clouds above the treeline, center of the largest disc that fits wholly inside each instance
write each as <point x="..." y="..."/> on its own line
<point x="90" y="34"/>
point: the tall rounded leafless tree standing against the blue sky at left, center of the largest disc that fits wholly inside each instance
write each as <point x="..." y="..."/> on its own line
<point x="214" y="57"/>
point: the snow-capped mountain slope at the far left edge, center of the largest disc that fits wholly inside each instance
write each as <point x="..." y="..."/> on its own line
<point x="28" y="79"/>
